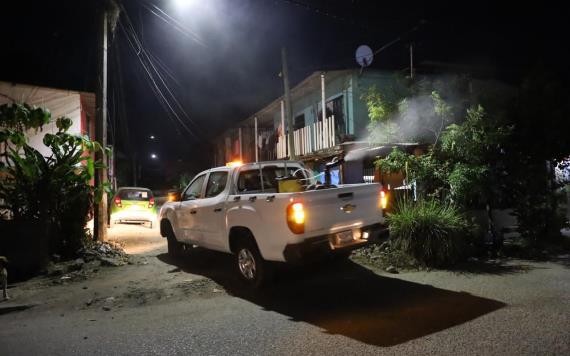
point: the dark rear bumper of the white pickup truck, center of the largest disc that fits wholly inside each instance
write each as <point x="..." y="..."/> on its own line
<point x="318" y="247"/>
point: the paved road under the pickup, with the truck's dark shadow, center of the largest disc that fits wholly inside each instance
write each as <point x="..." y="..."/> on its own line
<point x="161" y="305"/>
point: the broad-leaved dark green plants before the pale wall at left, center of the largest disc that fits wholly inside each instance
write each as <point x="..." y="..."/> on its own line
<point x="54" y="191"/>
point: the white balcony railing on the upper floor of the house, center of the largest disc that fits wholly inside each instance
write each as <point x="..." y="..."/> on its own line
<point x="309" y="139"/>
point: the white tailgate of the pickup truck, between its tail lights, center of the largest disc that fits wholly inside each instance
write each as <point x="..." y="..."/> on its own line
<point x="342" y="208"/>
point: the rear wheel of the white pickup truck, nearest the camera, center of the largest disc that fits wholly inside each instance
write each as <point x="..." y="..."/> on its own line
<point x="253" y="270"/>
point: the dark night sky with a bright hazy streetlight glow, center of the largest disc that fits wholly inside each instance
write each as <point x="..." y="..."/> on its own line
<point x="220" y="59"/>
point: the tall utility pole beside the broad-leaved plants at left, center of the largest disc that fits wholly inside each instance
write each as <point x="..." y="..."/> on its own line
<point x="101" y="178"/>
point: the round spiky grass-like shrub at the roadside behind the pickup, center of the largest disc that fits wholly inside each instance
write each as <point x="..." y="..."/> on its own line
<point x="430" y="231"/>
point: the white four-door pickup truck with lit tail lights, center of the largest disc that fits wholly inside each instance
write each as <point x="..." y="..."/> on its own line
<point x="240" y="210"/>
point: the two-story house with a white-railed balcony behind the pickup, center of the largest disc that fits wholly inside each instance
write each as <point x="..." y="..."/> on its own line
<point x="317" y="138"/>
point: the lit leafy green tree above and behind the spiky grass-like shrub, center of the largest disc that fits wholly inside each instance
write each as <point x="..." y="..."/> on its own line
<point x="464" y="165"/>
